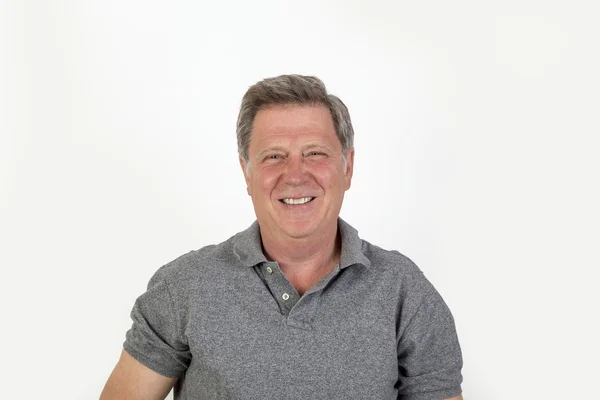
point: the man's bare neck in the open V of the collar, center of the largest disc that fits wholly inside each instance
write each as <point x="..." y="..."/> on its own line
<point x="304" y="261"/>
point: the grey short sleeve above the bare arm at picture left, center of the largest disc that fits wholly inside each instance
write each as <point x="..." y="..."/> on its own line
<point x="156" y="338"/>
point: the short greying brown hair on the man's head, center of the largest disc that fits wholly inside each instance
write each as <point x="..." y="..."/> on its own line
<point x="291" y="90"/>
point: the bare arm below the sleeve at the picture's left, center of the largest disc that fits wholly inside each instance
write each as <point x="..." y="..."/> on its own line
<point x="132" y="380"/>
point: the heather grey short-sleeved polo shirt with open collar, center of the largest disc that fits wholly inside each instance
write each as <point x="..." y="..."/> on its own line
<point x="229" y="325"/>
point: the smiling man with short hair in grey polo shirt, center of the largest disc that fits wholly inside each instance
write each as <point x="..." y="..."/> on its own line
<point x="297" y="306"/>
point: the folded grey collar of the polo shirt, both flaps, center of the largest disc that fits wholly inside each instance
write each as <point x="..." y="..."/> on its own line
<point x="248" y="246"/>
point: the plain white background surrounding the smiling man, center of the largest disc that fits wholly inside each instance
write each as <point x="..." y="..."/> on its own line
<point x="476" y="156"/>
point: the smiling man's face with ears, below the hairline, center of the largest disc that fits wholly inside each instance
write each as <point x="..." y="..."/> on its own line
<point x="296" y="157"/>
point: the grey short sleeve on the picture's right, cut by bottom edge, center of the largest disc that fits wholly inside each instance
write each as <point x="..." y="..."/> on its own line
<point x="429" y="355"/>
